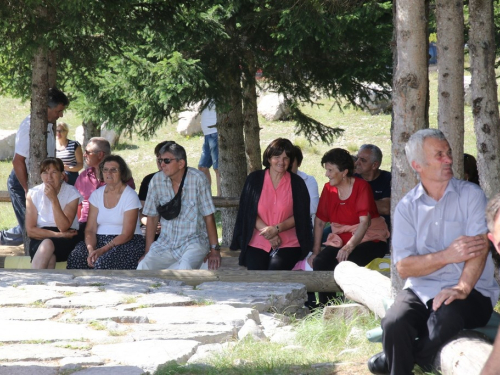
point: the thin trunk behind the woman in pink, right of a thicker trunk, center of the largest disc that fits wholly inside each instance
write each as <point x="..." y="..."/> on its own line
<point x="251" y="119"/>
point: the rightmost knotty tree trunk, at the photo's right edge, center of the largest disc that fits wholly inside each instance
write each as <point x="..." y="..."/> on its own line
<point x="484" y="94"/>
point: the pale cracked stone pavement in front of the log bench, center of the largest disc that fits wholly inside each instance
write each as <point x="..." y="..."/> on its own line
<point x="54" y="324"/>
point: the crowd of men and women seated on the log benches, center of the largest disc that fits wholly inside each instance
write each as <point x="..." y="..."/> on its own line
<point x="439" y="235"/>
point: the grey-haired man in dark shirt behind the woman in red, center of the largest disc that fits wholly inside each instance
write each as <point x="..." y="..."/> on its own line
<point x="367" y="166"/>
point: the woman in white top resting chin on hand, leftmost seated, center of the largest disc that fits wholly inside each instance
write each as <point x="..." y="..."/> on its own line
<point x="51" y="221"/>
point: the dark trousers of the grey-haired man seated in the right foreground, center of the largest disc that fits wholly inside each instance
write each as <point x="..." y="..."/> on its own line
<point x="409" y="319"/>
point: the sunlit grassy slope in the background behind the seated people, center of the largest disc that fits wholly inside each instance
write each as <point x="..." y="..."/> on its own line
<point x="360" y="127"/>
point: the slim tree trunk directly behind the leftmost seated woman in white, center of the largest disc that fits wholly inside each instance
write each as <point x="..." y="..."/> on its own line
<point x="38" y="127"/>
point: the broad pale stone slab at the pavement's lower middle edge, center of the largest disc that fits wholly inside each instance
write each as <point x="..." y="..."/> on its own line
<point x="147" y="354"/>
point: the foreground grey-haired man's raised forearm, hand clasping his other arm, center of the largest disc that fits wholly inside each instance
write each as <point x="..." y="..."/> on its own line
<point x="462" y="249"/>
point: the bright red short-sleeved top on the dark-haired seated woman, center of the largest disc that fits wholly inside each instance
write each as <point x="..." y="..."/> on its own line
<point x="347" y="212"/>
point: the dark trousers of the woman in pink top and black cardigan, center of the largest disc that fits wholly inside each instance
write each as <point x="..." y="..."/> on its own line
<point x="284" y="260"/>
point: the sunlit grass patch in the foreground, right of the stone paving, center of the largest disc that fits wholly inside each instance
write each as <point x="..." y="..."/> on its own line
<point x="317" y="342"/>
